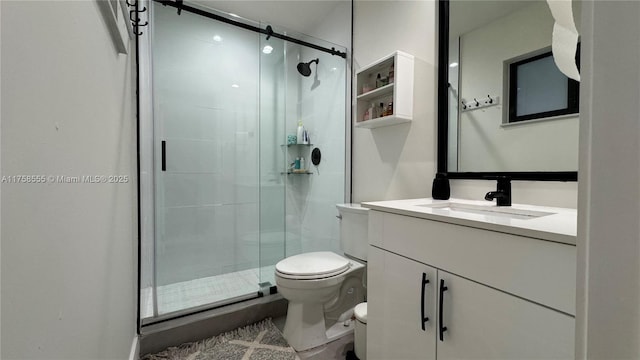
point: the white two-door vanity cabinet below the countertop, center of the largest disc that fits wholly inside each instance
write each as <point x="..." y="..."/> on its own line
<point x="497" y="301"/>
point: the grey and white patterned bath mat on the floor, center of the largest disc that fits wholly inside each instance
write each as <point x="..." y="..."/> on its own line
<point x="259" y="341"/>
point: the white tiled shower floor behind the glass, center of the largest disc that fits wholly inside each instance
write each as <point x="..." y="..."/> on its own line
<point x="192" y="293"/>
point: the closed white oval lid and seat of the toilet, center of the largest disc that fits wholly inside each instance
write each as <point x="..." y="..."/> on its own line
<point x="313" y="265"/>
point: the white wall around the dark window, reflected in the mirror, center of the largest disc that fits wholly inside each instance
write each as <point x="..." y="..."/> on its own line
<point x="486" y="145"/>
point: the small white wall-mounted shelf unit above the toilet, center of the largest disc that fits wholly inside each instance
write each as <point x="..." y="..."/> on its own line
<point x="399" y="91"/>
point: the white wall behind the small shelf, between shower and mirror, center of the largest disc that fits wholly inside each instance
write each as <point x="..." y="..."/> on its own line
<point x="398" y="161"/>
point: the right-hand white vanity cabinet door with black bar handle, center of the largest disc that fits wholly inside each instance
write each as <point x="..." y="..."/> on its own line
<point x="484" y="323"/>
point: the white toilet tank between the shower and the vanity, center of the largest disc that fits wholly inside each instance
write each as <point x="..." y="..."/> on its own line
<point x="354" y="225"/>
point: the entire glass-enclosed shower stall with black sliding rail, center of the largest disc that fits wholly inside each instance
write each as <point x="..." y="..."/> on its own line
<point x="220" y="201"/>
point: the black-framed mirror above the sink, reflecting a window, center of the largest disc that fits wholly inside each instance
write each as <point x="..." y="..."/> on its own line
<point x="504" y="107"/>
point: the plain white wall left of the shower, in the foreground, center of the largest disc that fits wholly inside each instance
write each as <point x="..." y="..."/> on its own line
<point x="68" y="250"/>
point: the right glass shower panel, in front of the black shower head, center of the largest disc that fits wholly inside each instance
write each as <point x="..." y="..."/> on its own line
<point x="297" y="208"/>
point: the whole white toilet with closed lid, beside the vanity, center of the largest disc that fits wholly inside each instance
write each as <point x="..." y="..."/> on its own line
<point x="324" y="287"/>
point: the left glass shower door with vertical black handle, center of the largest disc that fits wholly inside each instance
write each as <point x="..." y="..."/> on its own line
<point x="206" y="161"/>
